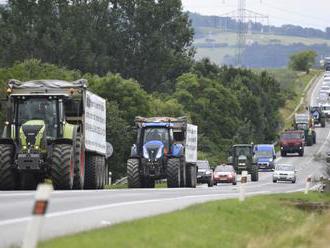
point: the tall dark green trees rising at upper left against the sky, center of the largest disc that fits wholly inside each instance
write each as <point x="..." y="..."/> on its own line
<point x="146" y="40"/>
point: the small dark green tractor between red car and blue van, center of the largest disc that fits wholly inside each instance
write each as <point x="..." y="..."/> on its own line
<point x="242" y="158"/>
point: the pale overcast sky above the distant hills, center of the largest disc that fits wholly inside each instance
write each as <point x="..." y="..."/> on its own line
<point x="306" y="13"/>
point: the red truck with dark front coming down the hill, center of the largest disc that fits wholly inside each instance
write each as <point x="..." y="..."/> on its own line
<point x="292" y="141"/>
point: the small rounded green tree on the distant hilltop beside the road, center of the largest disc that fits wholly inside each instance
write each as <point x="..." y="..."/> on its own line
<point x="302" y="61"/>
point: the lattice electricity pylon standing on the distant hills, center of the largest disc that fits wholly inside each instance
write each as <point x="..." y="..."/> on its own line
<point x="243" y="18"/>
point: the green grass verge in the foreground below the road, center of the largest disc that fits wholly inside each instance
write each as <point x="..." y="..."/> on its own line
<point x="261" y="221"/>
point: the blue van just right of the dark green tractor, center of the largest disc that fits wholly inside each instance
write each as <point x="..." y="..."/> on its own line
<point x="265" y="156"/>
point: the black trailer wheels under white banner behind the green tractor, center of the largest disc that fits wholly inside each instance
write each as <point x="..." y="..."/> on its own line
<point x="92" y="172"/>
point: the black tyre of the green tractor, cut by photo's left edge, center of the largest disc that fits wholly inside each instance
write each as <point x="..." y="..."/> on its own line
<point x="8" y="177"/>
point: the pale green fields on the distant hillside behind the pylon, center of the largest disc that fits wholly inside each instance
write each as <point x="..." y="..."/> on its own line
<point x="217" y="54"/>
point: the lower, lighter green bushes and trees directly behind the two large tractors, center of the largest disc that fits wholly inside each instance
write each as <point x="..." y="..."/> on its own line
<point x="229" y="105"/>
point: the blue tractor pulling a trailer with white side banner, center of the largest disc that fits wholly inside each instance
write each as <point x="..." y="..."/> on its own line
<point x="166" y="148"/>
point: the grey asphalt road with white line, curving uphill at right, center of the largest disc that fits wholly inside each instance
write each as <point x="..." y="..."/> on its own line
<point x="74" y="211"/>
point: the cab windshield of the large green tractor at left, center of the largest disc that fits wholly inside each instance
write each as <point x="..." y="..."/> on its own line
<point x="38" y="109"/>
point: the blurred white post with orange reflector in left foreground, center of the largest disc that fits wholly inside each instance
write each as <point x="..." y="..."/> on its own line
<point x="39" y="210"/>
